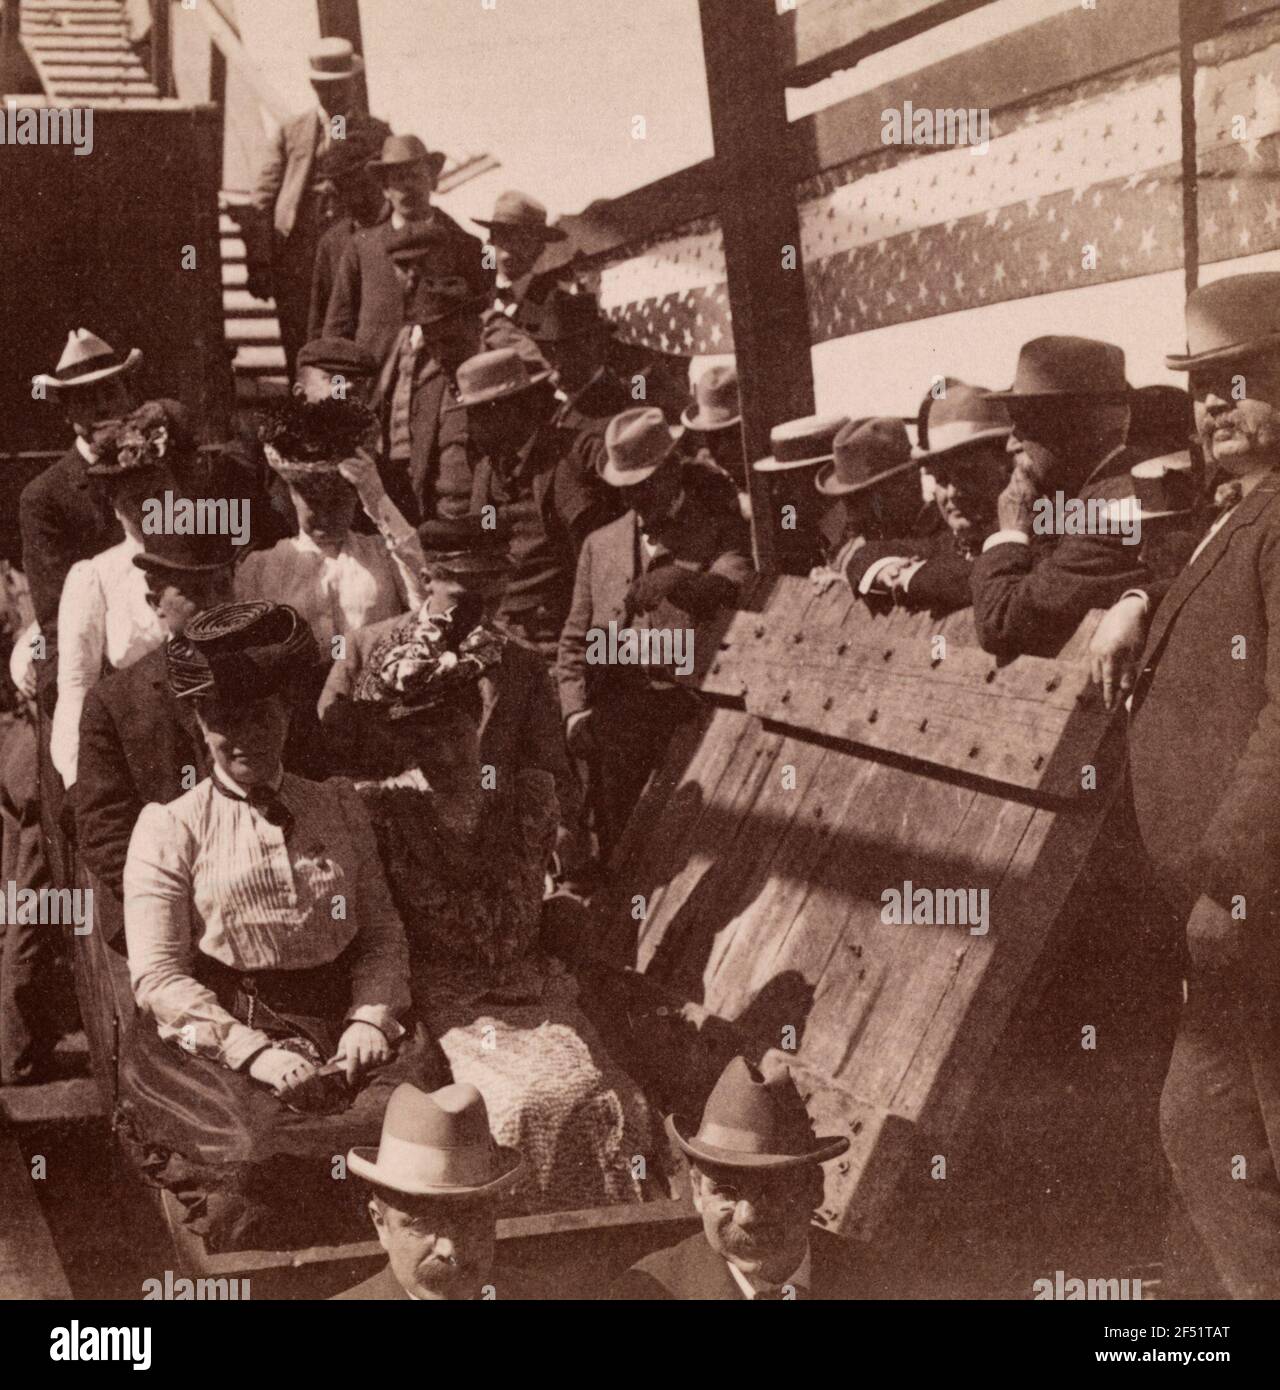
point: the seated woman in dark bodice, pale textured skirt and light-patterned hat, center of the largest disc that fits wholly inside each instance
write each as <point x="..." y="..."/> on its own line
<point x="465" y="854"/>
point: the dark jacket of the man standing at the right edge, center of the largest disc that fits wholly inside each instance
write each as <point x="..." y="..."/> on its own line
<point x="1206" y="729"/>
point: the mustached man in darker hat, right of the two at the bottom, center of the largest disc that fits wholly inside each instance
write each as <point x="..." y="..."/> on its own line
<point x="755" y="1168"/>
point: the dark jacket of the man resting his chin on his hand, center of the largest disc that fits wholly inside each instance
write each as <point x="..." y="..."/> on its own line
<point x="1032" y="598"/>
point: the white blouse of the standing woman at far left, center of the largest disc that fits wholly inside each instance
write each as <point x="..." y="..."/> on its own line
<point x="104" y="616"/>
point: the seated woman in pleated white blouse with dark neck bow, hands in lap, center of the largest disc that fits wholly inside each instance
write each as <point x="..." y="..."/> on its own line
<point x="265" y="946"/>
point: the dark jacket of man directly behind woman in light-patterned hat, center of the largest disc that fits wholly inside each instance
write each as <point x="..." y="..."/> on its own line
<point x="519" y="725"/>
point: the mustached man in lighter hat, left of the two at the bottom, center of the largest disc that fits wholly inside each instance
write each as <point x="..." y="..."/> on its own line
<point x="437" y="1184"/>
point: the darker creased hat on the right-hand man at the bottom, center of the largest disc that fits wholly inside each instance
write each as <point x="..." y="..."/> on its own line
<point x="755" y="1121"/>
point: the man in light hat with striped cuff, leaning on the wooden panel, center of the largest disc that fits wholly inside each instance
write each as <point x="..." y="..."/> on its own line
<point x="969" y="466"/>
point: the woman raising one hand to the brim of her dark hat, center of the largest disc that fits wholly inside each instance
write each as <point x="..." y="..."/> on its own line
<point x="338" y="579"/>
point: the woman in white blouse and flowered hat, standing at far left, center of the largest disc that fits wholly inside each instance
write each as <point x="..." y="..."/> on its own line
<point x="105" y="618"/>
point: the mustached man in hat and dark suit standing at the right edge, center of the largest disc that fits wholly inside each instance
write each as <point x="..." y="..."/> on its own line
<point x="1204" y="746"/>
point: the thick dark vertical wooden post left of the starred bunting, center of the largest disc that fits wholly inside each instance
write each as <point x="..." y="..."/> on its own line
<point x="755" y="188"/>
